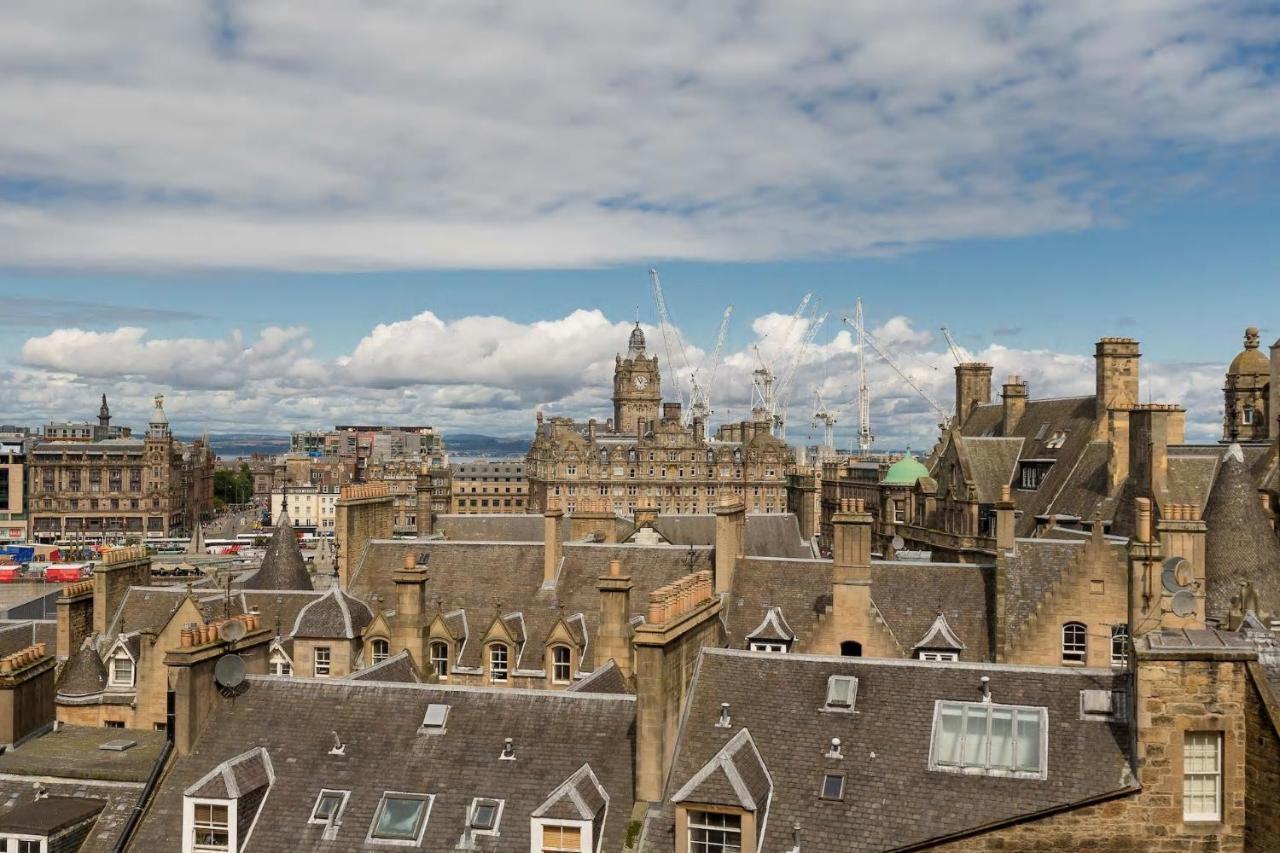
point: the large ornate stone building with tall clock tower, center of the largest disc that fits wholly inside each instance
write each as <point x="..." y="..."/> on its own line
<point x="647" y="457"/>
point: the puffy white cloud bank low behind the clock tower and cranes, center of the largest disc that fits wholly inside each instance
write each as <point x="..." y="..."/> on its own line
<point x="492" y="375"/>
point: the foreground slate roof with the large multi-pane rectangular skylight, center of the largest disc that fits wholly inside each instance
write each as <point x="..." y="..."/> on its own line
<point x="893" y="799"/>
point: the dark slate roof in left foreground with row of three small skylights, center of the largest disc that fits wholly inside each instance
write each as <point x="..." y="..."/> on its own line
<point x="294" y="722"/>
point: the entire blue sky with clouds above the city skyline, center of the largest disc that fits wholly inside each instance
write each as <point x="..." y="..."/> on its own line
<point x="286" y="216"/>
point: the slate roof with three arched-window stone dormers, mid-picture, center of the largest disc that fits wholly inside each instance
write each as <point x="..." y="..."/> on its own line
<point x="477" y="578"/>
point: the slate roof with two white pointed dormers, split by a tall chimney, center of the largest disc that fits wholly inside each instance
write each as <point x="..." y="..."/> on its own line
<point x="907" y="595"/>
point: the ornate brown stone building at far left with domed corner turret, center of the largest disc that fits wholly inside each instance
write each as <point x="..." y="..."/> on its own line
<point x="113" y="489"/>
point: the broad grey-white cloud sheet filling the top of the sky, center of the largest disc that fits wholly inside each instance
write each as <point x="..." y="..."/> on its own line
<point x="350" y="135"/>
